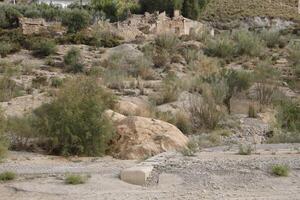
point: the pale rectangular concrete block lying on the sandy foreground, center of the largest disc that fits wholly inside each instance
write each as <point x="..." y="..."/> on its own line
<point x="136" y="175"/>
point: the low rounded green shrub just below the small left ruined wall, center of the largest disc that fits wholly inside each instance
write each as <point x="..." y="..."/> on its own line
<point x="44" y="48"/>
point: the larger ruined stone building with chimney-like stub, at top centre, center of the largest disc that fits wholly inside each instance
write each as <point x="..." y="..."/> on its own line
<point x="156" y="23"/>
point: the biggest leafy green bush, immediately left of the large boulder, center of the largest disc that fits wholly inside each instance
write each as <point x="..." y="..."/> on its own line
<point x="73" y="122"/>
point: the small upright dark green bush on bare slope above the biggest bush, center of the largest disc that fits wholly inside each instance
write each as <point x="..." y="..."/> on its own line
<point x="72" y="60"/>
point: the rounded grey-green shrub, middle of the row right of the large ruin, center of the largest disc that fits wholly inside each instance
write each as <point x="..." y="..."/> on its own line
<point x="248" y="43"/>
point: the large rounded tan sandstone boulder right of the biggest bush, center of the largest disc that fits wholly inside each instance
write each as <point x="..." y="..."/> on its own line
<point x="140" y="137"/>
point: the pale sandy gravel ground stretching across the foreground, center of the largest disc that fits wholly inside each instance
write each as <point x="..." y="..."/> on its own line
<point x="215" y="173"/>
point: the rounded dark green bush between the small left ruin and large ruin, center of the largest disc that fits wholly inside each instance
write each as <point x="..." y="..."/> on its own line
<point x="76" y="20"/>
